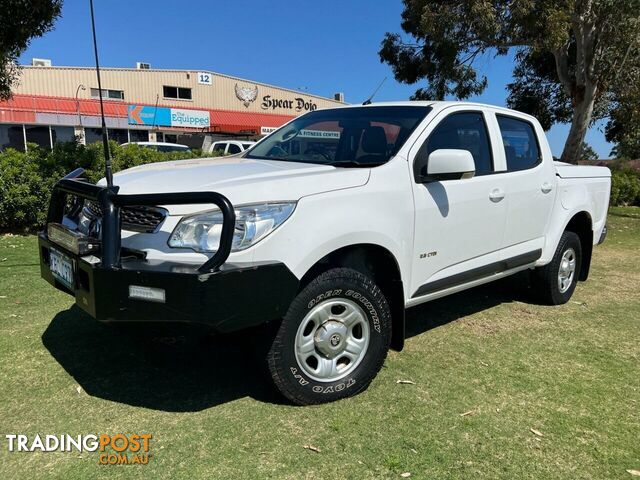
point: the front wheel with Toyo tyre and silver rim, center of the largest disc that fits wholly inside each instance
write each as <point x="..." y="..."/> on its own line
<point x="333" y="340"/>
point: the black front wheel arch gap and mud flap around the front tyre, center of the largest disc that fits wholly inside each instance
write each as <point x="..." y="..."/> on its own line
<point x="378" y="263"/>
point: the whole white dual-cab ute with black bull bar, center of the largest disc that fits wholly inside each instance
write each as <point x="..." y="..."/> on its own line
<point x="331" y="227"/>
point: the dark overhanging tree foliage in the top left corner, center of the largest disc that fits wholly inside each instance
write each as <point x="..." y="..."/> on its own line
<point x="20" y="21"/>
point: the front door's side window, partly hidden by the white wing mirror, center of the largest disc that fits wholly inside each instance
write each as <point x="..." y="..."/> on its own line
<point x="464" y="131"/>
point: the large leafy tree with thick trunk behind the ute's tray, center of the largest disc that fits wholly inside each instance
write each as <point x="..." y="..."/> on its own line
<point x="569" y="53"/>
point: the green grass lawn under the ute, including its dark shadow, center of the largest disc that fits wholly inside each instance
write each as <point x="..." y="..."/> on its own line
<point x="488" y="366"/>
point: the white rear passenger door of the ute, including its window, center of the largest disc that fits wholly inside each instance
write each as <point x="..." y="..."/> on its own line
<point x="529" y="187"/>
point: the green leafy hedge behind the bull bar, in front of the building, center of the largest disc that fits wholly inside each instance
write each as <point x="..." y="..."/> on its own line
<point x="27" y="178"/>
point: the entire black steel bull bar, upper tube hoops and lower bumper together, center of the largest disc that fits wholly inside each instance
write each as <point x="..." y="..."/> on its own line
<point x="224" y="295"/>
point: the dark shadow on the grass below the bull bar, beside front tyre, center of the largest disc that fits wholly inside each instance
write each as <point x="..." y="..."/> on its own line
<point x="174" y="368"/>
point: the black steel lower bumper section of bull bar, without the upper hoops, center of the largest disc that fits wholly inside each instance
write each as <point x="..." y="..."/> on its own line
<point x="234" y="297"/>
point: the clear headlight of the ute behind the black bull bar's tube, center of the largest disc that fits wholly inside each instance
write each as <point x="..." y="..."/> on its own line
<point x="201" y="232"/>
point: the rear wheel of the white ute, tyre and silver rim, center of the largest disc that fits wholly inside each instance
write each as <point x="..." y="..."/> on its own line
<point x="555" y="282"/>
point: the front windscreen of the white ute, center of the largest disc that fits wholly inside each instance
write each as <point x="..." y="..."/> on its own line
<point x="343" y="137"/>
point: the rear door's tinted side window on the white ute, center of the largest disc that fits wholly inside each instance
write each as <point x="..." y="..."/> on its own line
<point x="520" y="143"/>
